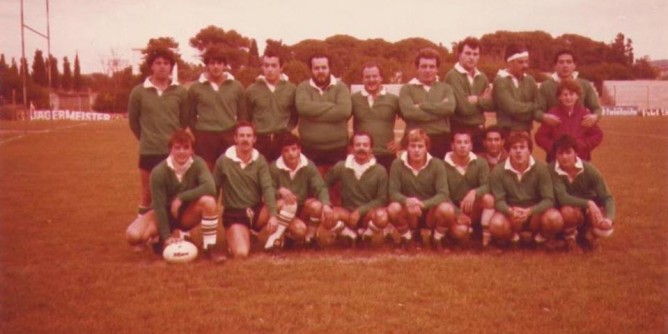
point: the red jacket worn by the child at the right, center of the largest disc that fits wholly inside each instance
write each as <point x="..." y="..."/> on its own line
<point x="587" y="138"/>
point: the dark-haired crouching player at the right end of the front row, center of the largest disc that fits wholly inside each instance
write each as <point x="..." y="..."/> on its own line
<point x="586" y="202"/>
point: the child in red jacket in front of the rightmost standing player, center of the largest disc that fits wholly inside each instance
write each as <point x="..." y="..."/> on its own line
<point x="570" y="115"/>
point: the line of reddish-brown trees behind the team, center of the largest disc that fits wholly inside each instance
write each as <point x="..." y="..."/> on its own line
<point x="597" y="61"/>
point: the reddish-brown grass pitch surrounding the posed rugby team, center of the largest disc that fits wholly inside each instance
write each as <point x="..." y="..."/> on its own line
<point x="68" y="191"/>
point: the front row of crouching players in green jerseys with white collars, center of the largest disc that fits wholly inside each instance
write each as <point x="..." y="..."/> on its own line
<point x="451" y="196"/>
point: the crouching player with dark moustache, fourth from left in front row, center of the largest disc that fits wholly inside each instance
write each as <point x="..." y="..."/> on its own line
<point x="363" y="191"/>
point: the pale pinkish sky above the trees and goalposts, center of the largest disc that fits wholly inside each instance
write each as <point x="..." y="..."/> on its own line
<point x="99" y="29"/>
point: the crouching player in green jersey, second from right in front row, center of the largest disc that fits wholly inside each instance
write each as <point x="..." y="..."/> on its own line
<point x="524" y="200"/>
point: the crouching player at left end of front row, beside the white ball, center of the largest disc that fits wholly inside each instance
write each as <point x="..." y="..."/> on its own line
<point x="183" y="196"/>
